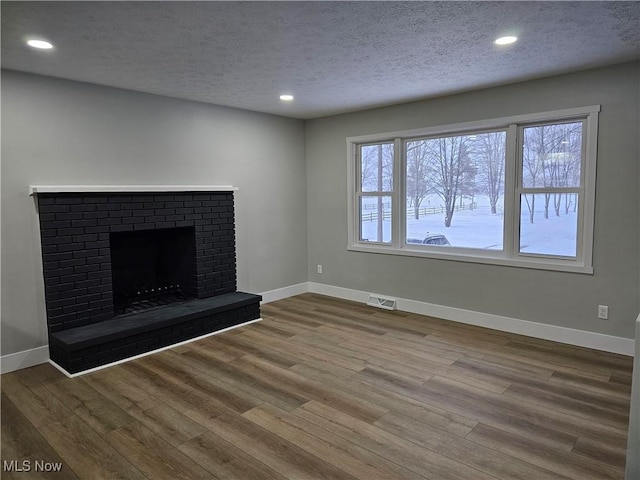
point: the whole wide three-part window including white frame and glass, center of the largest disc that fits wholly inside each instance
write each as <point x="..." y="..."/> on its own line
<point x="513" y="191"/>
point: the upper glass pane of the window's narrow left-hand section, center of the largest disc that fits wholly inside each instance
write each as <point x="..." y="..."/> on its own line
<point x="376" y="168"/>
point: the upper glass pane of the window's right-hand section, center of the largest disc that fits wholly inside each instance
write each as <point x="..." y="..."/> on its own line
<point x="551" y="155"/>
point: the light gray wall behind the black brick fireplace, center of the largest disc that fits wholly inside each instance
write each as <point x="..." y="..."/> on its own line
<point x="61" y="132"/>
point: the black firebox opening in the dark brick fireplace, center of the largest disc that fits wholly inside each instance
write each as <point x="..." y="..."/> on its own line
<point x="152" y="268"/>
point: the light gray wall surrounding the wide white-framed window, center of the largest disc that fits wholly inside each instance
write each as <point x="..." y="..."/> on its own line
<point x="564" y="299"/>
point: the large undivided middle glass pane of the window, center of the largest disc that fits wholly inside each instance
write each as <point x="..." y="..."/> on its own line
<point x="455" y="190"/>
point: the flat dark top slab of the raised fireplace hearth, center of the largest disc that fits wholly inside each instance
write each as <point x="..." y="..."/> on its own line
<point x="124" y="326"/>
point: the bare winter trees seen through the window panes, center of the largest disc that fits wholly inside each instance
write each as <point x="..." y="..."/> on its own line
<point x="457" y="166"/>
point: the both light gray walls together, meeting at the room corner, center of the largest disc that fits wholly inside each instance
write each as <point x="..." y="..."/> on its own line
<point x="291" y="218"/>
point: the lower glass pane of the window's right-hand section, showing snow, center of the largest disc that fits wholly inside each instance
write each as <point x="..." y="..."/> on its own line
<point x="549" y="223"/>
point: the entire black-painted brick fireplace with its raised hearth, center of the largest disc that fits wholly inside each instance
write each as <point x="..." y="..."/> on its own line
<point x="129" y="272"/>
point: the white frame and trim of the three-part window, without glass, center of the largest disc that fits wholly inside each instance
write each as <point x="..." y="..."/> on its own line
<point x="509" y="255"/>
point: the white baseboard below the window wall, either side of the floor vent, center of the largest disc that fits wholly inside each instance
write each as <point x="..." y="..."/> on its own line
<point x="580" y="338"/>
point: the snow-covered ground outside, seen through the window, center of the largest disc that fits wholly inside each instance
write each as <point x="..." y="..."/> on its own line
<point x="479" y="228"/>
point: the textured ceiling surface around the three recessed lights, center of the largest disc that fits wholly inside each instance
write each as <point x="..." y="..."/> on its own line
<point x="333" y="56"/>
